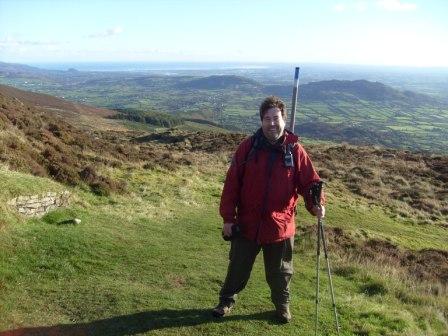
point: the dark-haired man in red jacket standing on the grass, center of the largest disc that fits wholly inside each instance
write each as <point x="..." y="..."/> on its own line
<point x="268" y="172"/>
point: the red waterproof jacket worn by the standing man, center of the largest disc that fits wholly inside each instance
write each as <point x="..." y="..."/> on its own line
<point x="260" y="191"/>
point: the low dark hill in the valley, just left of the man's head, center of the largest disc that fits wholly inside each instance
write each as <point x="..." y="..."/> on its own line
<point x="220" y="82"/>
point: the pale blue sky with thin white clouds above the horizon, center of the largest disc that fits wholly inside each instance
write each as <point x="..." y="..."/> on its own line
<point x="371" y="32"/>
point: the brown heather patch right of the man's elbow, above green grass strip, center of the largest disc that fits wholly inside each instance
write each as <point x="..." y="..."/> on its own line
<point x="413" y="184"/>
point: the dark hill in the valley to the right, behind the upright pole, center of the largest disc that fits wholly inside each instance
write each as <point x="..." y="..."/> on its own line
<point x="352" y="91"/>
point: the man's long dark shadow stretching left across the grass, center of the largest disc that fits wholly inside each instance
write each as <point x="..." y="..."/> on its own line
<point x="137" y="323"/>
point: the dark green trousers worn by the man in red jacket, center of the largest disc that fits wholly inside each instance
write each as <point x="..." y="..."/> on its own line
<point x="277" y="264"/>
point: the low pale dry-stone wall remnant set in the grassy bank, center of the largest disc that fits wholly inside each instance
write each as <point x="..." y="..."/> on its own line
<point x="38" y="205"/>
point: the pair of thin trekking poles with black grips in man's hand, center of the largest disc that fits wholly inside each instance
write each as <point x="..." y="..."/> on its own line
<point x="316" y="191"/>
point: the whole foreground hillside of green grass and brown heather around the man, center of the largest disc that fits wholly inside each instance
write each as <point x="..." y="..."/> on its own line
<point x="148" y="258"/>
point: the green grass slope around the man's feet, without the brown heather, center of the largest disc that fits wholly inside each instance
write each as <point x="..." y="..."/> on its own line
<point x="152" y="261"/>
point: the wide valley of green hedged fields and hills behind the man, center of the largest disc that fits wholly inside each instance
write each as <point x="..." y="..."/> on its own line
<point x="355" y="111"/>
